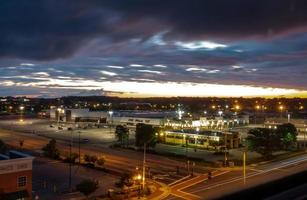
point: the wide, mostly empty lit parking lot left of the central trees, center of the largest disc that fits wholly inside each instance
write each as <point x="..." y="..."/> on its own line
<point x="87" y="133"/>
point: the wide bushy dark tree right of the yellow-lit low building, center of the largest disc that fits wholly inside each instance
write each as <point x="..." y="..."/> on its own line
<point x="263" y="140"/>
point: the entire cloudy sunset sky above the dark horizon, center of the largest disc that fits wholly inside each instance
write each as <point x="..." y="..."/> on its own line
<point x="142" y="48"/>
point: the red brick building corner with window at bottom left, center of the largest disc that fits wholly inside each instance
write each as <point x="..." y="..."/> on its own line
<point x="16" y="176"/>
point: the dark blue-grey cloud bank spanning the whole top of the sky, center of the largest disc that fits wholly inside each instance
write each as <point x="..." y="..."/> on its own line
<point x="46" y="30"/>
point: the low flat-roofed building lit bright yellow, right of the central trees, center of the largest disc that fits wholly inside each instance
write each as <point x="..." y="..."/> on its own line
<point x="203" y="139"/>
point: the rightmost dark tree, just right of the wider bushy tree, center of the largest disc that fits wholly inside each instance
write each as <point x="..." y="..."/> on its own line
<point x="288" y="134"/>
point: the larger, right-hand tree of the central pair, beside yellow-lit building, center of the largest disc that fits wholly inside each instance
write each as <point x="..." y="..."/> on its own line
<point x="145" y="134"/>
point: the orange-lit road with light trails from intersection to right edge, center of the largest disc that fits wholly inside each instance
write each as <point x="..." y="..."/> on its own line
<point x="227" y="182"/>
